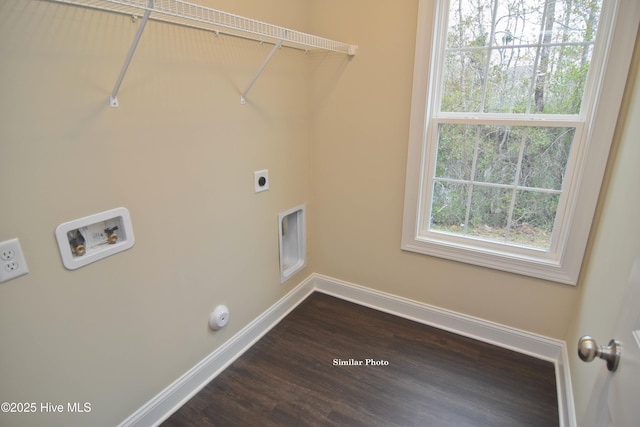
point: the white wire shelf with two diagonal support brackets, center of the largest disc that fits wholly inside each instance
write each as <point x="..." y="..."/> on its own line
<point x="205" y="18"/>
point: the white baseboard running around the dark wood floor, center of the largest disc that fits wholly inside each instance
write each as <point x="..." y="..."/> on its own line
<point x="175" y="395"/>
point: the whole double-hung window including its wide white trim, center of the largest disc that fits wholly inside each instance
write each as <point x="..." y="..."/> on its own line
<point x="513" y="111"/>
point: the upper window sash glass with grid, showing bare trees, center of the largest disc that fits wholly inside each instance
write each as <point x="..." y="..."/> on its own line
<point x="534" y="58"/>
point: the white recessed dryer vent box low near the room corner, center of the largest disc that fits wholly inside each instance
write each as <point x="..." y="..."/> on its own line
<point x="293" y="242"/>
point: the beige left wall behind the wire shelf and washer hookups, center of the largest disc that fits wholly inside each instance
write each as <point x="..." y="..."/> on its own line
<point x="179" y="153"/>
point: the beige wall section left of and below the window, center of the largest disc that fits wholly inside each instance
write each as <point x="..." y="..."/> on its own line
<point x="359" y="160"/>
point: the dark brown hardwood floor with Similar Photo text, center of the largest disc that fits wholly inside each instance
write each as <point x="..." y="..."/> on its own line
<point x="304" y="373"/>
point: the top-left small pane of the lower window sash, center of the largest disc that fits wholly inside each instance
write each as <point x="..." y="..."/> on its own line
<point x="455" y="151"/>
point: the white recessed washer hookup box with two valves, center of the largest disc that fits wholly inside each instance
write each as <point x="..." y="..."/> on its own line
<point x="94" y="237"/>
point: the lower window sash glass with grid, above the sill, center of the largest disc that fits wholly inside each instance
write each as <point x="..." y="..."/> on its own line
<point x="501" y="208"/>
